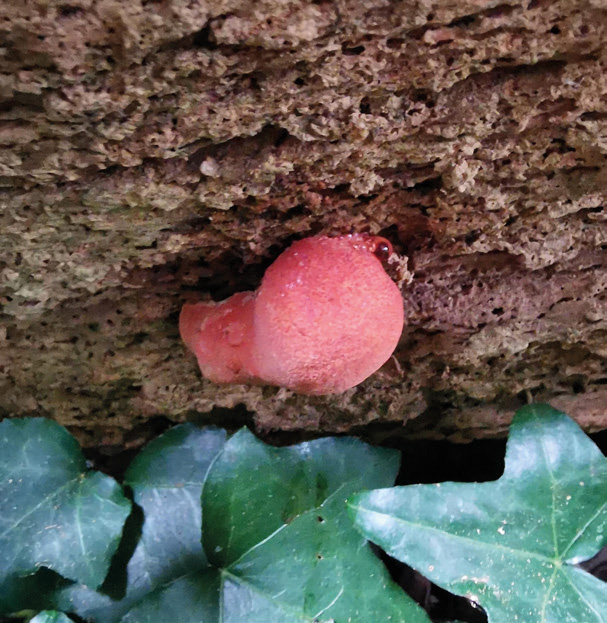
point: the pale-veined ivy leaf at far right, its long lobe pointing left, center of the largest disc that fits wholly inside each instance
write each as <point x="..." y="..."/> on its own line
<point x="511" y="545"/>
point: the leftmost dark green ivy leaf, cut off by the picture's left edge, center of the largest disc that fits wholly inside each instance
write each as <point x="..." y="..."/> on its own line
<point x="53" y="511"/>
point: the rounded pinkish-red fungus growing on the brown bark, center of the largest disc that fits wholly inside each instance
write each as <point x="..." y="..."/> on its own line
<point x="325" y="317"/>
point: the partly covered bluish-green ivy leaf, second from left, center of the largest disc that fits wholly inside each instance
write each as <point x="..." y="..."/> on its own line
<point x="166" y="478"/>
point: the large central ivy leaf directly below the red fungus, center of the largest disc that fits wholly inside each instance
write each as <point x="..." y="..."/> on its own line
<point x="279" y="541"/>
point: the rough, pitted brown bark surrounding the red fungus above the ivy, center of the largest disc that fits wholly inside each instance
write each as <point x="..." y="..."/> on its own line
<point x="153" y="152"/>
